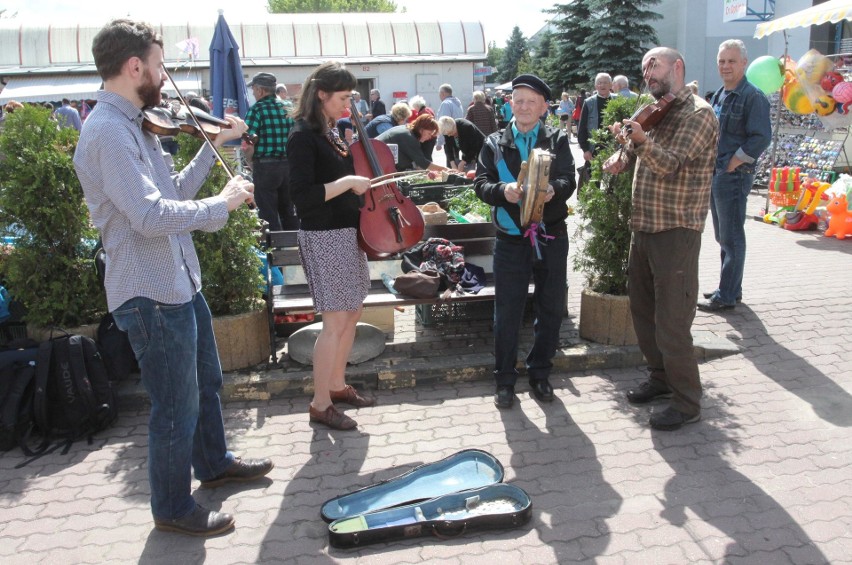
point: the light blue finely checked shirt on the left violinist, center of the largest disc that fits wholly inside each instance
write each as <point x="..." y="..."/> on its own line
<point x="145" y="213"/>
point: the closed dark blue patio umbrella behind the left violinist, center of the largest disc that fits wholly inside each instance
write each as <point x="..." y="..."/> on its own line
<point x="226" y="73"/>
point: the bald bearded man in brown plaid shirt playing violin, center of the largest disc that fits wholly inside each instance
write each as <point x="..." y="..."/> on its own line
<point x="671" y="195"/>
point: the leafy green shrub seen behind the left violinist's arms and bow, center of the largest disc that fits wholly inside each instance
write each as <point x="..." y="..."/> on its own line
<point x="230" y="266"/>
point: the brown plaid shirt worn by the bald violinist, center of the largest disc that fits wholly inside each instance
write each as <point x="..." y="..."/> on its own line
<point x="674" y="169"/>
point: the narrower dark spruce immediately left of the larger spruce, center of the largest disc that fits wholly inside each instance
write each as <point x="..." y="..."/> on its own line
<point x="573" y="25"/>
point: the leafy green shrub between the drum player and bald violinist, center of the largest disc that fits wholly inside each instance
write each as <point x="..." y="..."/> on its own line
<point x="604" y="208"/>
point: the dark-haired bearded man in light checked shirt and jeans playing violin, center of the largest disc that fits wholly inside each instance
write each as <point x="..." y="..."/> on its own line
<point x="153" y="282"/>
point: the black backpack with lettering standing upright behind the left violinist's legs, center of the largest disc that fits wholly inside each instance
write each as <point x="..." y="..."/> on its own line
<point x="73" y="394"/>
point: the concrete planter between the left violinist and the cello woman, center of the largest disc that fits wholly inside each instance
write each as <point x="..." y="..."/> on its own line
<point x="243" y="339"/>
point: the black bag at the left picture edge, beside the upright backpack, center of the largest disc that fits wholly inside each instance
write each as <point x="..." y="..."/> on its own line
<point x="17" y="382"/>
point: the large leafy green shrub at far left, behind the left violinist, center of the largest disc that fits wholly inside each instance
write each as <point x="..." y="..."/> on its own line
<point x="49" y="268"/>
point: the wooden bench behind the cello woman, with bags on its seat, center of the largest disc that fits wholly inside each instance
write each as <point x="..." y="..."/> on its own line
<point x="293" y="297"/>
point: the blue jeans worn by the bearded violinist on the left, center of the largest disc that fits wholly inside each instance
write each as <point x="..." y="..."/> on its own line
<point x="177" y="355"/>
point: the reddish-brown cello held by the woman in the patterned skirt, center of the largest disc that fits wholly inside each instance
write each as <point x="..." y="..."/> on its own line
<point x="390" y="222"/>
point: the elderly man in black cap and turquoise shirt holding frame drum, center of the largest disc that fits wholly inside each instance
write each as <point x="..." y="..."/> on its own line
<point x="526" y="173"/>
